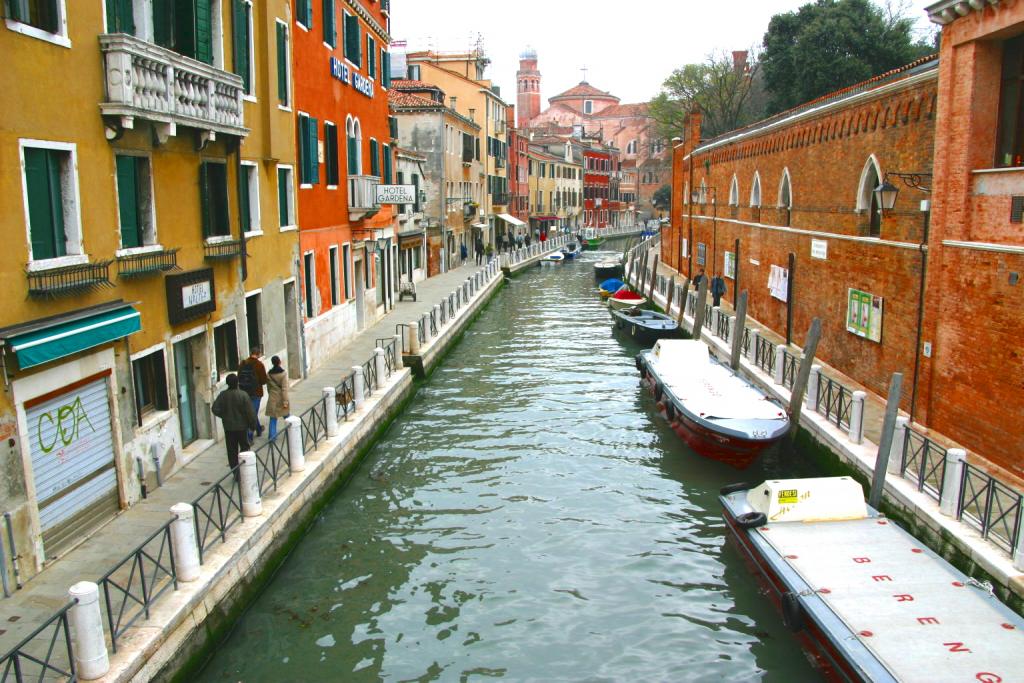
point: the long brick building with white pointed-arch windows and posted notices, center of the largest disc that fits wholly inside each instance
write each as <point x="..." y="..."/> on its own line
<point x="791" y="199"/>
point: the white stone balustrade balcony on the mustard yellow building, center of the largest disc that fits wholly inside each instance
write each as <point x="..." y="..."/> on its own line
<point x="153" y="83"/>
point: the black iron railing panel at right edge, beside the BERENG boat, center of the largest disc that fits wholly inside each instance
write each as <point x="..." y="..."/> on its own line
<point x="991" y="506"/>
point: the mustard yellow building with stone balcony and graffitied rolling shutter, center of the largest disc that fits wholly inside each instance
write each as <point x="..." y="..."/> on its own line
<point x="150" y="242"/>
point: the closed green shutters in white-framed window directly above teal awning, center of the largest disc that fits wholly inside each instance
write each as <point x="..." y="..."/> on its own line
<point x="42" y="179"/>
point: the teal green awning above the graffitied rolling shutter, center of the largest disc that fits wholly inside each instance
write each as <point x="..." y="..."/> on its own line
<point x="42" y="341"/>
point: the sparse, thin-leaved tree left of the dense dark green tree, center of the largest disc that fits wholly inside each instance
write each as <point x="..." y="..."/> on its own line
<point x="724" y="92"/>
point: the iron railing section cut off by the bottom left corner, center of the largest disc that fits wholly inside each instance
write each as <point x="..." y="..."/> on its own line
<point x="41" y="659"/>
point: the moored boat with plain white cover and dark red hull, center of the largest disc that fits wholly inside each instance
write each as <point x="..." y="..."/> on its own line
<point x="717" y="412"/>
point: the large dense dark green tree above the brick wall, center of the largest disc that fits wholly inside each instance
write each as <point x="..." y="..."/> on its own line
<point x="830" y="45"/>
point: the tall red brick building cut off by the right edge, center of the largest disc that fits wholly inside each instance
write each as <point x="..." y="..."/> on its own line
<point x="973" y="383"/>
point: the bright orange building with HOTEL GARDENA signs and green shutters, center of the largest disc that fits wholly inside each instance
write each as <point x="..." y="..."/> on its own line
<point x="346" y="149"/>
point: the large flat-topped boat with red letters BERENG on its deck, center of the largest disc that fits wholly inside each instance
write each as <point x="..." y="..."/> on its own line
<point x="866" y="600"/>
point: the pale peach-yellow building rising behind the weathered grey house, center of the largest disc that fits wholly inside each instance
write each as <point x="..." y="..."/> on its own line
<point x="460" y="75"/>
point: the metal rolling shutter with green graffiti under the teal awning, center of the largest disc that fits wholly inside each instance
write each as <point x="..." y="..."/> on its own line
<point x="72" y="449"/>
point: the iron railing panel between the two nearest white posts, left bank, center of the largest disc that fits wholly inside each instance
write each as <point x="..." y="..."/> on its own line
<point x="136" y="583"/>
